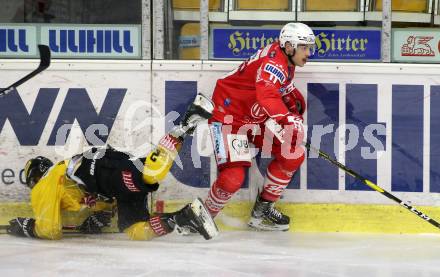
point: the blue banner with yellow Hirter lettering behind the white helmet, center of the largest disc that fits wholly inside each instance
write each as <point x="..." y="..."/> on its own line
<point x="332" y="44"/>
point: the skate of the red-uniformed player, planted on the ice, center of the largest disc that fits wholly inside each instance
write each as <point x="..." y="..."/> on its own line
<point x="265" y="217"/>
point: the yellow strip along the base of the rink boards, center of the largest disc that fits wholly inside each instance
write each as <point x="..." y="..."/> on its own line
<point x="306" y="217"/>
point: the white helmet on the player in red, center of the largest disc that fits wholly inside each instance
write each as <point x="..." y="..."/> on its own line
<point x="296" y="33"/>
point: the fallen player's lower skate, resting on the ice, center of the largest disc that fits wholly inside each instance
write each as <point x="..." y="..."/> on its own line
<point x="193" y="218"/>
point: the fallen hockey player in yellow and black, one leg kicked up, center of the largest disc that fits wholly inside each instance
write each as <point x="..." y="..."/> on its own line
<point x="79" y="184"/>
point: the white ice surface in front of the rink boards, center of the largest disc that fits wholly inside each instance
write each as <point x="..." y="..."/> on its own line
<point x="231" y="254"/>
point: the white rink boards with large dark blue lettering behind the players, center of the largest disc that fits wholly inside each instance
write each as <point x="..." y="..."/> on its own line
<point x="390" y="111"/>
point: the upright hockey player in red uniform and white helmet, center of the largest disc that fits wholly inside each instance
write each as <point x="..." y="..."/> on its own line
<point x="259" y="103"/>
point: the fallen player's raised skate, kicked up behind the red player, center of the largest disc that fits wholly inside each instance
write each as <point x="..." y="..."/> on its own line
<point x="200" y="109"/>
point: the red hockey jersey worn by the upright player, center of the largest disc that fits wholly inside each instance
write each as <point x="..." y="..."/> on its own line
<point x="254" y="91"/>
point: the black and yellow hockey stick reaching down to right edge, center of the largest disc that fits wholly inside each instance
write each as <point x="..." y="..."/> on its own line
<point x="372" y="185"/>
